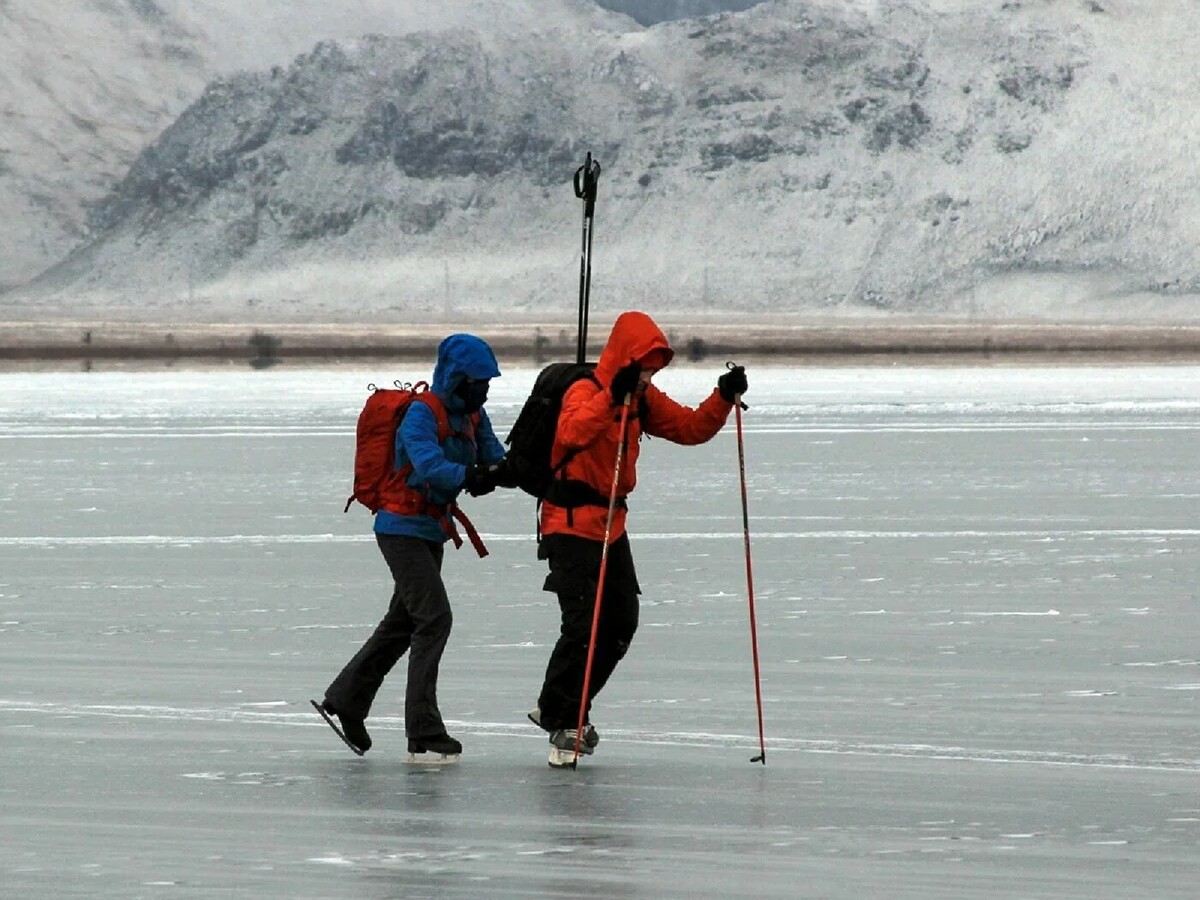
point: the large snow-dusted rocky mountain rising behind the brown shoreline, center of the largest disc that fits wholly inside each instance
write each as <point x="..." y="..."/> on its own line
<point x="980" y="158"/>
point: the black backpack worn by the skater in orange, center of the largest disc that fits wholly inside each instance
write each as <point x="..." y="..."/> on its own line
<point x="532" y="437"/>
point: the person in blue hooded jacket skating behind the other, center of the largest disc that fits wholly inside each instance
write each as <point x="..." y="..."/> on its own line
<point x="411" y="531"/>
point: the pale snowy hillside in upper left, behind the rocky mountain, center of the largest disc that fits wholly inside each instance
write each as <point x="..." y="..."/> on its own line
<point x="87" y="85"/>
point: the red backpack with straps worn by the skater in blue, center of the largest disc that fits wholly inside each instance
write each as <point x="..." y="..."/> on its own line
<point x="377" y="484"/>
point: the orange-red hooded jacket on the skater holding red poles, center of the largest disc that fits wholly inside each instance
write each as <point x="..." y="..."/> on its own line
<point x="591" y="427"/>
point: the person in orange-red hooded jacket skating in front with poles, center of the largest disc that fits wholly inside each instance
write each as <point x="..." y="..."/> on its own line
<point x="575" y="513"/>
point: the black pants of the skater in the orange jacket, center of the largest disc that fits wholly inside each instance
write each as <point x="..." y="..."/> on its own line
<point x="574" y="573"/>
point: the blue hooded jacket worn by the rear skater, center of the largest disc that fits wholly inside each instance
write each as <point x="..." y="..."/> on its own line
<point x="440" y="470"/>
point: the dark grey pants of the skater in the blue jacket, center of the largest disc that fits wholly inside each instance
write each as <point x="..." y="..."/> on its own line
<point x="418" y="621"/>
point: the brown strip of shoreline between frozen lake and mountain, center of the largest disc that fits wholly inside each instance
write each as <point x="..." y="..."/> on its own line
<point x="827" y="343"/>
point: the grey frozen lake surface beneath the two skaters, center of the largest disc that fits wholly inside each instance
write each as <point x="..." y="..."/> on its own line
<point x="977" y="609"/>
